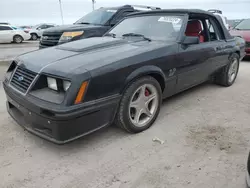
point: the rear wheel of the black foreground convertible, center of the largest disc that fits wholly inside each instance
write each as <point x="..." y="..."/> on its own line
<point x="223" y="76"/>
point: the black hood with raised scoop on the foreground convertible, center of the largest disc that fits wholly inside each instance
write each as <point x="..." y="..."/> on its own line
<point x="67" y="59"/>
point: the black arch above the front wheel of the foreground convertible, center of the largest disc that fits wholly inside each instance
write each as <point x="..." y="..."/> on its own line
<point x="149" y="70"/>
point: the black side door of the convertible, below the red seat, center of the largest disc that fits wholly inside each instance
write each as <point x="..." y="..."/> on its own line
<point x="196" y="62"/>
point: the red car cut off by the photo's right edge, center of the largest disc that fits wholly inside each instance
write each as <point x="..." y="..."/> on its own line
<point x="243" y="30"/>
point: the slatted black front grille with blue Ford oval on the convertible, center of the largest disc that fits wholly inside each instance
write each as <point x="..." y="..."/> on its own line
<point x="22" y="79"/>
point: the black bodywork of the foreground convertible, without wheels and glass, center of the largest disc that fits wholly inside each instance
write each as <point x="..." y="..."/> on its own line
<point x="109" y="64"/>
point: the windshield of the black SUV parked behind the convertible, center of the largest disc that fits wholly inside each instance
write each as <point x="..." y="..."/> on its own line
<point x="97" y="17"/>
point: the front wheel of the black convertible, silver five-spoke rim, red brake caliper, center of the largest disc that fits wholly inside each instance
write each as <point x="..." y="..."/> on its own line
<point x="126" y="115"/>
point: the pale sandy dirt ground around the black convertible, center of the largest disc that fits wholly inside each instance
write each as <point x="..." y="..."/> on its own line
<point x="206" y="132"/>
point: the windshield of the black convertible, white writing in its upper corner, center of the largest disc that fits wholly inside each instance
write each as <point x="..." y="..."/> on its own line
<point x="153" y="27"/>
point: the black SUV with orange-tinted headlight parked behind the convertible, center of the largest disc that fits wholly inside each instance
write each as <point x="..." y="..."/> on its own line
<point x="94" y="24"/>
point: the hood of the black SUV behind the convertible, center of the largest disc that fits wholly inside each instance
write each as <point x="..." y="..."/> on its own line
<point x="73" y="27"/>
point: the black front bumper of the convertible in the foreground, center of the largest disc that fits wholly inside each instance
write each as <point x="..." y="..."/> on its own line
<point x="62" y="126"/>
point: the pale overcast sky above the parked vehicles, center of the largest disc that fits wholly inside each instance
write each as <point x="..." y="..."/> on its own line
<point x="31" y="12"/>
